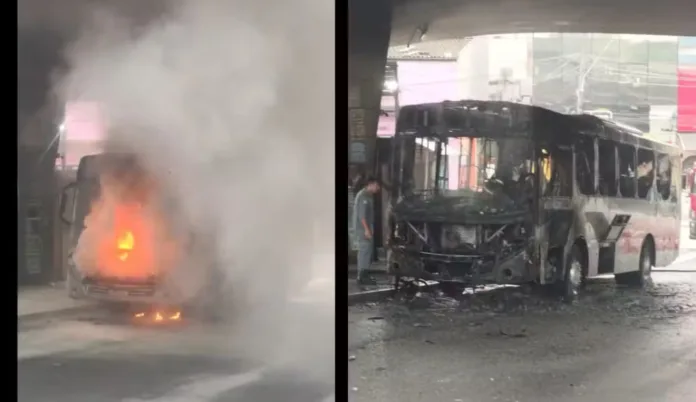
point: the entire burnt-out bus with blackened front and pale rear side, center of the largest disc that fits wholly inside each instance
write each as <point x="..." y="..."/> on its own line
<point x="498" y="192"/>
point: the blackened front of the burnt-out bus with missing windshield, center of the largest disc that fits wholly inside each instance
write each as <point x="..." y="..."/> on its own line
<point x="462" y="203"/>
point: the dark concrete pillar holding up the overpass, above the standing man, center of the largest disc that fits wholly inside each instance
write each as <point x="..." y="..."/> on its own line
<point x="369" y="28"/>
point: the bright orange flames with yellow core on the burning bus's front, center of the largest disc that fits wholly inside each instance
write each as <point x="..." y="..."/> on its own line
<point x="128" y="208"/>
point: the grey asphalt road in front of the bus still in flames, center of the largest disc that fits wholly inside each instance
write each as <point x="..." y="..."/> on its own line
<point x="101" y="357"/>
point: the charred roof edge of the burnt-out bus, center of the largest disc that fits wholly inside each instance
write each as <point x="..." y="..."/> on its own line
<point x="499" y="118"/>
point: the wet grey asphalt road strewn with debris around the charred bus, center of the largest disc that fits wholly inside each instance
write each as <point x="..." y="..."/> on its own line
<point x="613" y="345"/>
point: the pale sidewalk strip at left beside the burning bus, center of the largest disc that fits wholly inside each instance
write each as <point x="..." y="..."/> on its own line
<point x="39" y="301"/>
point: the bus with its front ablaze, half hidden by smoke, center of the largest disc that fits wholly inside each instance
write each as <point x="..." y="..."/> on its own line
<point x="130" y="242"/>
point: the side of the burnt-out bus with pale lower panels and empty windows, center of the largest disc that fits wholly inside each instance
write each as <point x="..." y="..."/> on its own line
<point x="625" y="201"/>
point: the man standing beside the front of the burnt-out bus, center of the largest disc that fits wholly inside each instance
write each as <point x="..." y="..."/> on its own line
<point x="363" y="225"/>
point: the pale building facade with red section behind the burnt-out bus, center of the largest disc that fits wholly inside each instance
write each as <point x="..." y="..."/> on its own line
<point x="648" y="82"/>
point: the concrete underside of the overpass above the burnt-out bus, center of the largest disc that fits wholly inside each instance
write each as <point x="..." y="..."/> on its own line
<point x="453" y="19"/>
